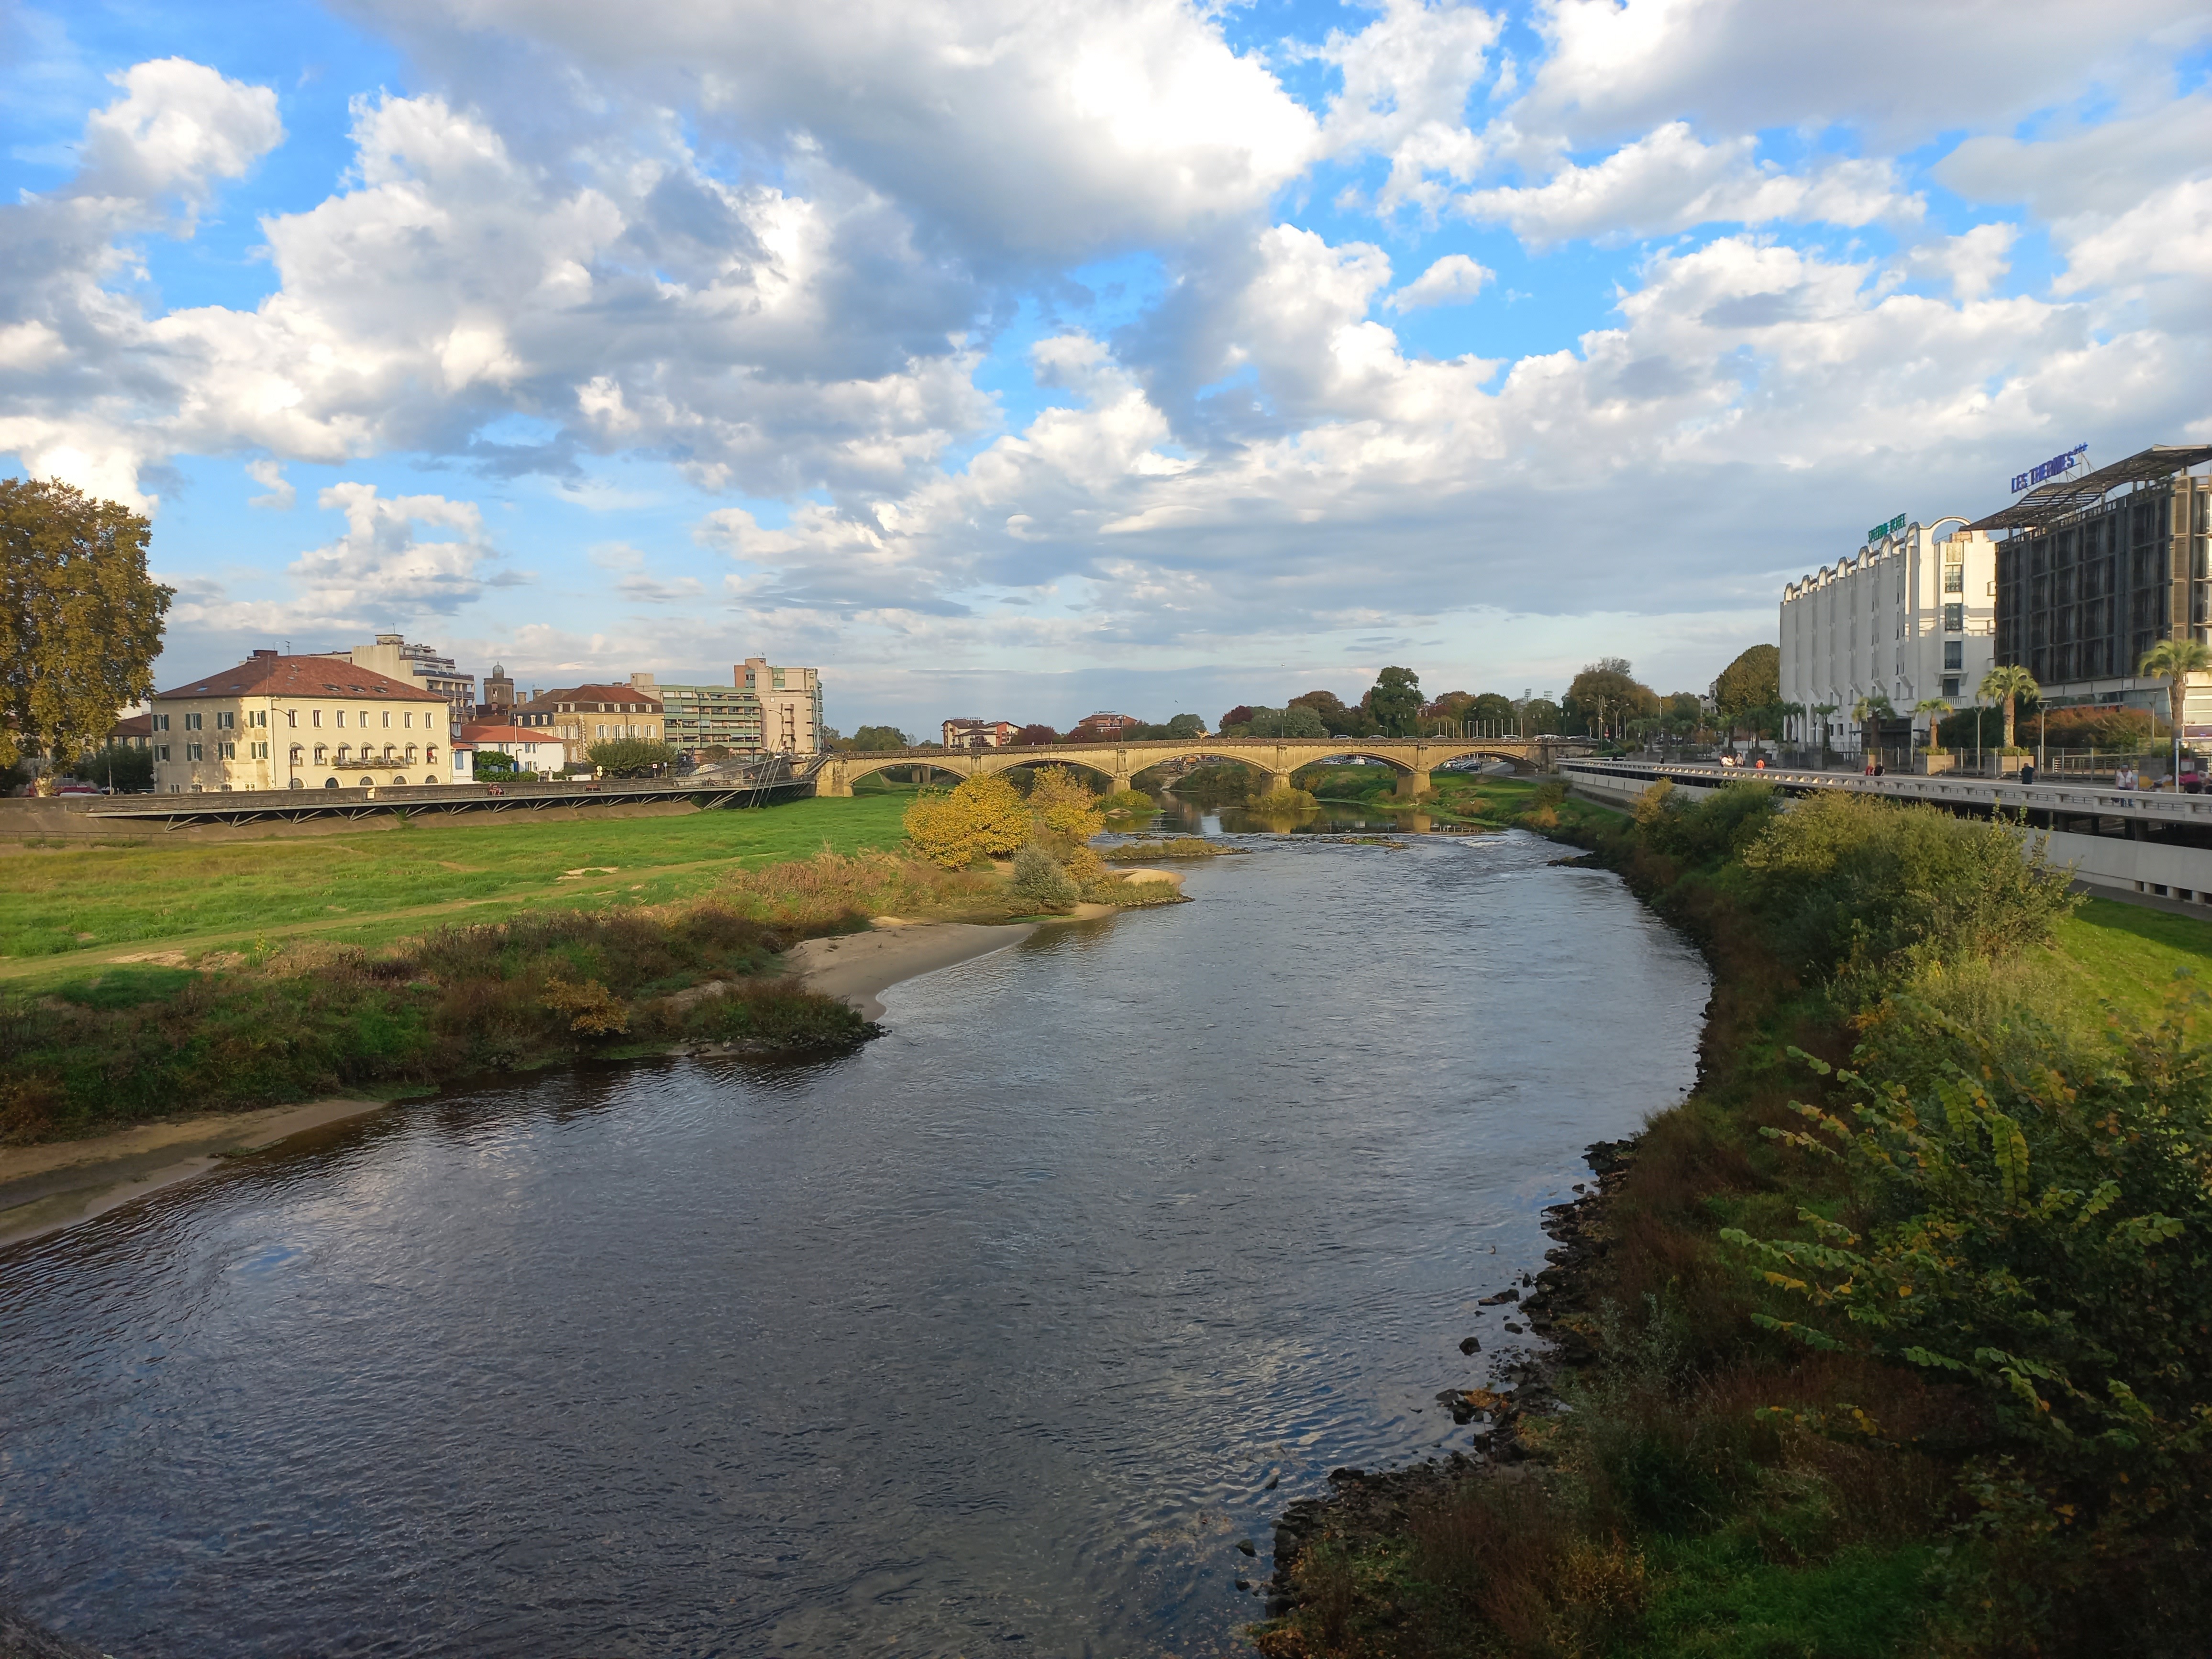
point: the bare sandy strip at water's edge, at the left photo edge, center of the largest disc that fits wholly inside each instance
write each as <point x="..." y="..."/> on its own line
<point x="59" y="1185"/>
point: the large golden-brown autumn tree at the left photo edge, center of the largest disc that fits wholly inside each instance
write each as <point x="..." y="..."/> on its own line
<point x="81" y="620"/>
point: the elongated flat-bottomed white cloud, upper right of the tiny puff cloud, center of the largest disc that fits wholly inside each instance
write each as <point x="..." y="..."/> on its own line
<point x="1669" y="180"/>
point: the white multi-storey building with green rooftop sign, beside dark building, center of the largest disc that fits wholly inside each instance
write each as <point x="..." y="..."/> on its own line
<point x="1910" y="616"/>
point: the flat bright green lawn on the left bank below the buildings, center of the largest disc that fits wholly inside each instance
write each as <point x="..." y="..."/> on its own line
<point x="67" y="908"/>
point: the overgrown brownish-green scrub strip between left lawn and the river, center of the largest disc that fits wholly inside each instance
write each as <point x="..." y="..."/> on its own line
<point x="302" y="1019"/>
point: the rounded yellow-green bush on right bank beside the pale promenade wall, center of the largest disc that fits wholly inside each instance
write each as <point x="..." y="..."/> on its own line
<point x="1866" y="888"/>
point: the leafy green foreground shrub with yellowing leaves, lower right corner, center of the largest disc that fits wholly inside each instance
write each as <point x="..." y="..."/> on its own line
<point x="2038" y="1235"/>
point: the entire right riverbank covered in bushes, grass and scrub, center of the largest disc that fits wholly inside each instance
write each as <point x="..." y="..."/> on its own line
<point x="1914" y="1375"/>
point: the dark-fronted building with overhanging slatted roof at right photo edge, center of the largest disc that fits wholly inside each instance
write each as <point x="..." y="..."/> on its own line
<point x="2096" y="570"/>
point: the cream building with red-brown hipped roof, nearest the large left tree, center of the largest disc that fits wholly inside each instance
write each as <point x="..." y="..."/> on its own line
<point x="298" y="724"/>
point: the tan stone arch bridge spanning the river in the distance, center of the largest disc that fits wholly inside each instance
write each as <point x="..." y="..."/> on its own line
<point x="1273" y="758"/>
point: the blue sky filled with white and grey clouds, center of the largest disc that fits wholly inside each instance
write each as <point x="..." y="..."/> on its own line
<point x="1021" y="359"/>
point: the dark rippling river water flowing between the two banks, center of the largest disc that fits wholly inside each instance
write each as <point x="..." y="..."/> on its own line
<point x="1001" y="1331"/>
